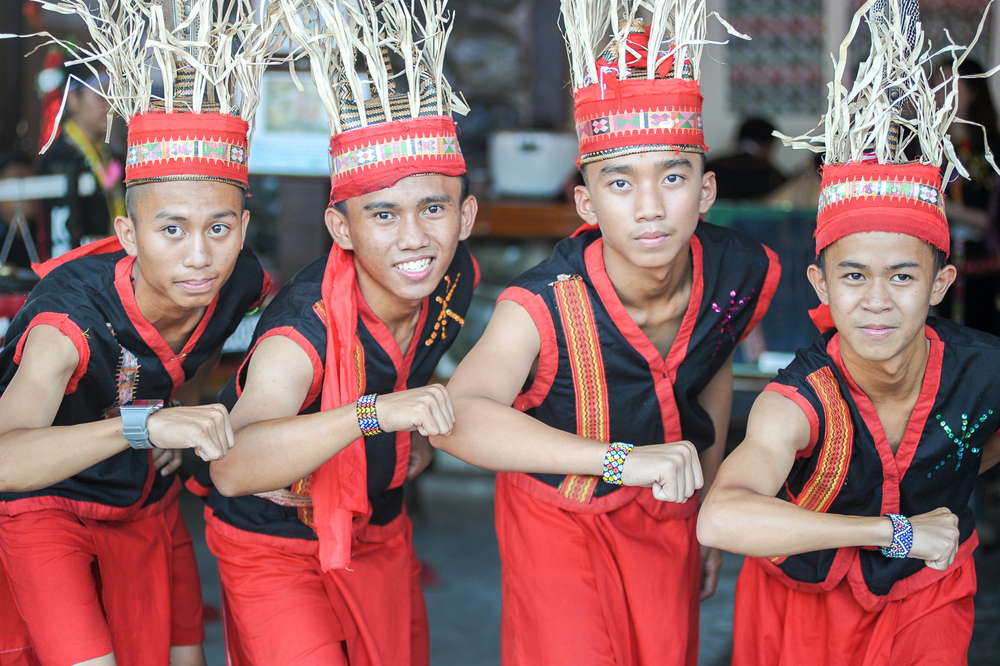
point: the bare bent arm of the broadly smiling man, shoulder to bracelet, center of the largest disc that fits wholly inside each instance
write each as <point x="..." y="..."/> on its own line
<point x="275" y="445"/>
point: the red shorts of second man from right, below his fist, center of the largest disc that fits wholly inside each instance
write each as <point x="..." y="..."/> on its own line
<point x="601" y="589"/>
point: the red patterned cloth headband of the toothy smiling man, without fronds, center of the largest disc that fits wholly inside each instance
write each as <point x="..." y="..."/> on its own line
<point x="369" y="159"/>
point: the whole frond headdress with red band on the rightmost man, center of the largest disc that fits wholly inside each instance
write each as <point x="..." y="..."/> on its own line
<point x="868" y="182"/>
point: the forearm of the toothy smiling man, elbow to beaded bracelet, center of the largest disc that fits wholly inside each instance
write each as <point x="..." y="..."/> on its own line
<point x="275" y="453"/>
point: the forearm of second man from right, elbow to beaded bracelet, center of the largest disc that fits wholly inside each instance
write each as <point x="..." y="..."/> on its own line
<point x="494" y="436"/>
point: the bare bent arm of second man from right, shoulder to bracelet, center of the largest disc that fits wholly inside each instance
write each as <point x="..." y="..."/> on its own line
<point x="489" y="432"/>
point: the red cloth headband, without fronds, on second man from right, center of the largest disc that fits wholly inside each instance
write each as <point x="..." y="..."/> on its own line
<point x="636" y="115"/>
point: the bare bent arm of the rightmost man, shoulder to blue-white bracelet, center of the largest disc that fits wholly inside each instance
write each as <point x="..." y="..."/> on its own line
<point x="741" y="513"/>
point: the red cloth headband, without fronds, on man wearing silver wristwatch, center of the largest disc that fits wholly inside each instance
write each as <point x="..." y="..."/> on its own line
<point x="186" y="146"/>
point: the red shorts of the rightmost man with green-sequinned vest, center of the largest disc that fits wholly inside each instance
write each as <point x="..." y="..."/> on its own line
<point x="778" y="626"/>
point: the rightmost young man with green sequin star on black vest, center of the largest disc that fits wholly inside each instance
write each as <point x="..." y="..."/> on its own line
<point x="850" y="492"/>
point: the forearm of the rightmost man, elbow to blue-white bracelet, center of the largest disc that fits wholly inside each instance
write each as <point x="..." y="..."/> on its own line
<point x="748" y="523"/>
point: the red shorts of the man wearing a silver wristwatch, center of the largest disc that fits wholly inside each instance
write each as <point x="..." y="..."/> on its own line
<point x="85" y="588"/>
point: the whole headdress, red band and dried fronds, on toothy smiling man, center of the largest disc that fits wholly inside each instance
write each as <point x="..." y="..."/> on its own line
<point x="384" y="125"/>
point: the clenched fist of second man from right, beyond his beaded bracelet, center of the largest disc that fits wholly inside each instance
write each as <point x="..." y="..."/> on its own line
<point x="672" y="470"/>
